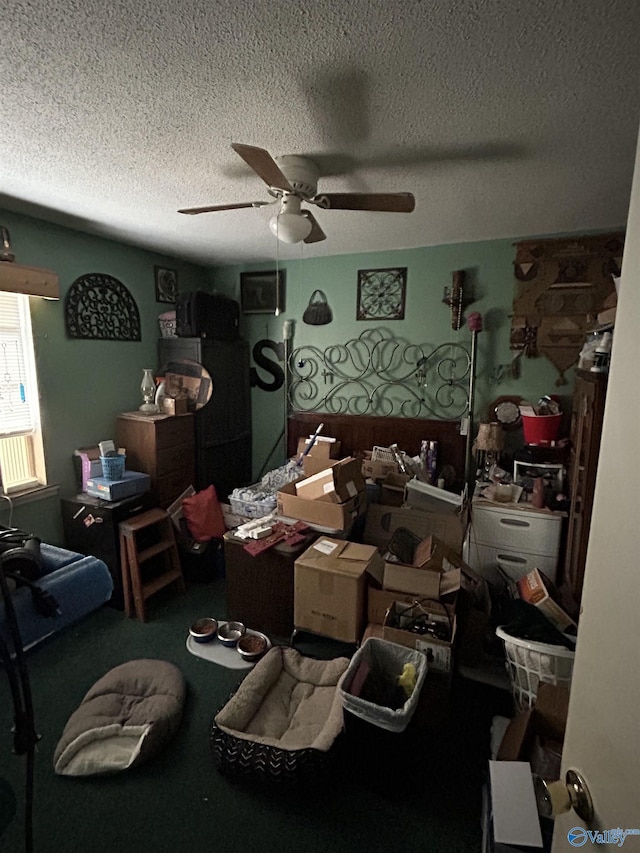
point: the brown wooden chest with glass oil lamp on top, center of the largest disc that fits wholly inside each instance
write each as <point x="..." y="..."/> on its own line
<point x="161" y="446"/>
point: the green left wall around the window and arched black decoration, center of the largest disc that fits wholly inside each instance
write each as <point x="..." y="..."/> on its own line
<point x="84" y="384"/>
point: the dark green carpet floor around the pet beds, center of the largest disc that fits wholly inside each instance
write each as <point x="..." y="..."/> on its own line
<point x="417" y="791"/>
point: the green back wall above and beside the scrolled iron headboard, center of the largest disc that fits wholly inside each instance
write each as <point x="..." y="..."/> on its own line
<point x="490" y="282"/>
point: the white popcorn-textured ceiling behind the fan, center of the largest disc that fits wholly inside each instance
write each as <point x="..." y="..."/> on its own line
<point x="505" y="118"/>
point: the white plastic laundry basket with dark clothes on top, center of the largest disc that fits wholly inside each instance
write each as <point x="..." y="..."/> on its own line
<point x="528" y="663"/>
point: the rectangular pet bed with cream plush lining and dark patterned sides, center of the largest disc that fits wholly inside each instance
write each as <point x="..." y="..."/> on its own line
<point x="283" y="719"/>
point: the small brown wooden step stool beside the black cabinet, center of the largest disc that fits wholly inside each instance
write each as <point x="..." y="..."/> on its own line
<point x="132" y="559"/>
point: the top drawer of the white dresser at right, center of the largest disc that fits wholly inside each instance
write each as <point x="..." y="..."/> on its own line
<point x="516" y="530"/>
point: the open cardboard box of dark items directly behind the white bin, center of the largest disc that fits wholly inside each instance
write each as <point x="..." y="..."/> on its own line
<point x="401" y="615"/>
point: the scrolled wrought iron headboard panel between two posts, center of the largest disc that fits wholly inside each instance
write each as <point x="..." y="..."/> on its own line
<point x="377" y="374"/>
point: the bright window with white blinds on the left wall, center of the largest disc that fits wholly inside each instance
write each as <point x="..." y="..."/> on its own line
<point x="21" y="451"/>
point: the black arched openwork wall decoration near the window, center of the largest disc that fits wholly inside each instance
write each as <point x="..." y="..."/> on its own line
<point x="100" y="307"/>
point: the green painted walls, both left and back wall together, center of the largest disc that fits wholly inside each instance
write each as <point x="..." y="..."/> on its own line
<point x="84" y="385"/>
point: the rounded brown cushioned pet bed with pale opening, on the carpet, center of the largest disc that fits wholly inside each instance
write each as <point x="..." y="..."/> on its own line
<point x="124" y="719"/>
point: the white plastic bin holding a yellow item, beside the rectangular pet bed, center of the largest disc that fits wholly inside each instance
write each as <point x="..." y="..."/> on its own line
<point x="385" y="661"/>
